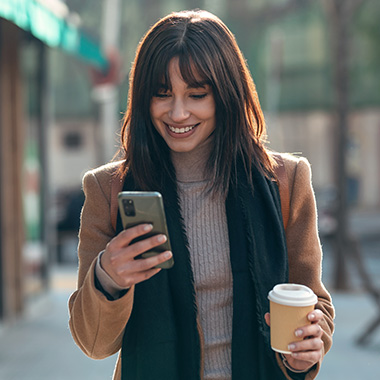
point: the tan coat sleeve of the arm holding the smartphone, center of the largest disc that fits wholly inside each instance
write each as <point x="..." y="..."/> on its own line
<point x="96" y="323"/>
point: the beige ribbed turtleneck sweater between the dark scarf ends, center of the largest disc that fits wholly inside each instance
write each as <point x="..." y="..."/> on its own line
<point x="206" y="229"/>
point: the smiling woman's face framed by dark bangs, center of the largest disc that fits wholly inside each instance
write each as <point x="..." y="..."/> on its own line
<point x="183" y="116"/>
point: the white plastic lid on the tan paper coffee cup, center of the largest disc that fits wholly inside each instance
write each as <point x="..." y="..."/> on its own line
<point x="293" y="295"/>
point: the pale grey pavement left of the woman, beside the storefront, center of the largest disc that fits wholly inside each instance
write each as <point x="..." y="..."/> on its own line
<point x="39" y="345"/>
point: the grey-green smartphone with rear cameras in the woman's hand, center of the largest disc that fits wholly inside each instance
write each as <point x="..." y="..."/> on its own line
<point x="138" y="207"/>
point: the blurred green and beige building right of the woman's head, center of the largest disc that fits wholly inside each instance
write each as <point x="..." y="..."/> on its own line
<point x="289" y="51"/>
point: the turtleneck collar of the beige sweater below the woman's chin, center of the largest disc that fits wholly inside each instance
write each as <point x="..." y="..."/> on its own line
<point x="191" y="166"/>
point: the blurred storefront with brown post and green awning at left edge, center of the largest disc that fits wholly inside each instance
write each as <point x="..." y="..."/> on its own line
<point x="28" y="28"/>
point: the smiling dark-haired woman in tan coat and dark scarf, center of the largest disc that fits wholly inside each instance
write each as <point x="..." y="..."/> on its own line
<point x="194" y="131"/>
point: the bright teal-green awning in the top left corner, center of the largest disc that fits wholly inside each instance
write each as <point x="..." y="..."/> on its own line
<point x="55" y="31"/>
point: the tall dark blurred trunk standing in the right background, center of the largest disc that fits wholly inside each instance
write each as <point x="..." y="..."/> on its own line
<point x="340" y="14"/>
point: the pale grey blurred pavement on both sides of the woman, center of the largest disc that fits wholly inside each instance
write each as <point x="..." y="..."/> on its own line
<point x="39" y="346"/>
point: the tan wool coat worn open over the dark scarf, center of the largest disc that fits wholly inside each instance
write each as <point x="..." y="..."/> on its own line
<point x="97" y="324"/>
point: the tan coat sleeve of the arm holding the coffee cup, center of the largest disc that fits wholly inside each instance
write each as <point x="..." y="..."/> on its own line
<point x="304" y="248"/>
